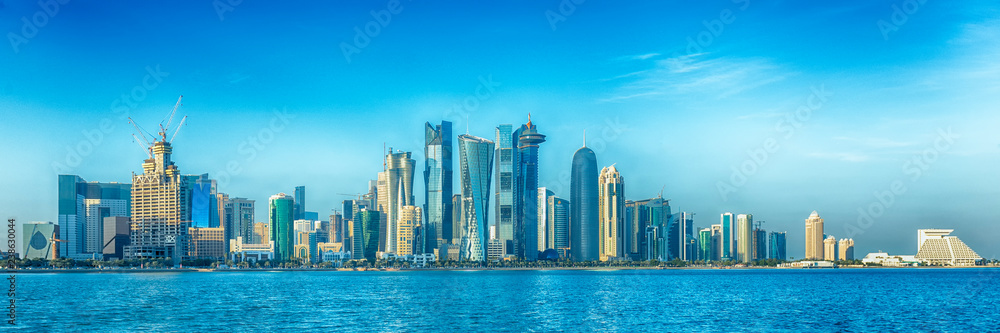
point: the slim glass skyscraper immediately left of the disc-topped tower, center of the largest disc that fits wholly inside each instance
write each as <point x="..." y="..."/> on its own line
<point x="506" y="181"/>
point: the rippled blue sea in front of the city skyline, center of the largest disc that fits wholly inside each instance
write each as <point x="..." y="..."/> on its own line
<point x="553" y="300"/>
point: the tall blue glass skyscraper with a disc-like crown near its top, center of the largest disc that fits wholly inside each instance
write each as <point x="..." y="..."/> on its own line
<point x="526" y="191"/>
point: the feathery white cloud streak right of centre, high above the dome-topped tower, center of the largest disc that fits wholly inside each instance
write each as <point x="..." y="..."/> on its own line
<point x="700" y="74"/>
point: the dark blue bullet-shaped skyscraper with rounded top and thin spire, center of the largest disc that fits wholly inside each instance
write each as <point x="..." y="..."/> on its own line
<point x="584" y="239"/>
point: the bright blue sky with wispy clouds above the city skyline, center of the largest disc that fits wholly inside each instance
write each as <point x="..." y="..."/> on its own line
<point x="880" y="115"/>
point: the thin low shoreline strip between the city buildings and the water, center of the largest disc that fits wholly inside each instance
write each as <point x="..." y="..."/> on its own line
<point x="449" y="269"/>
